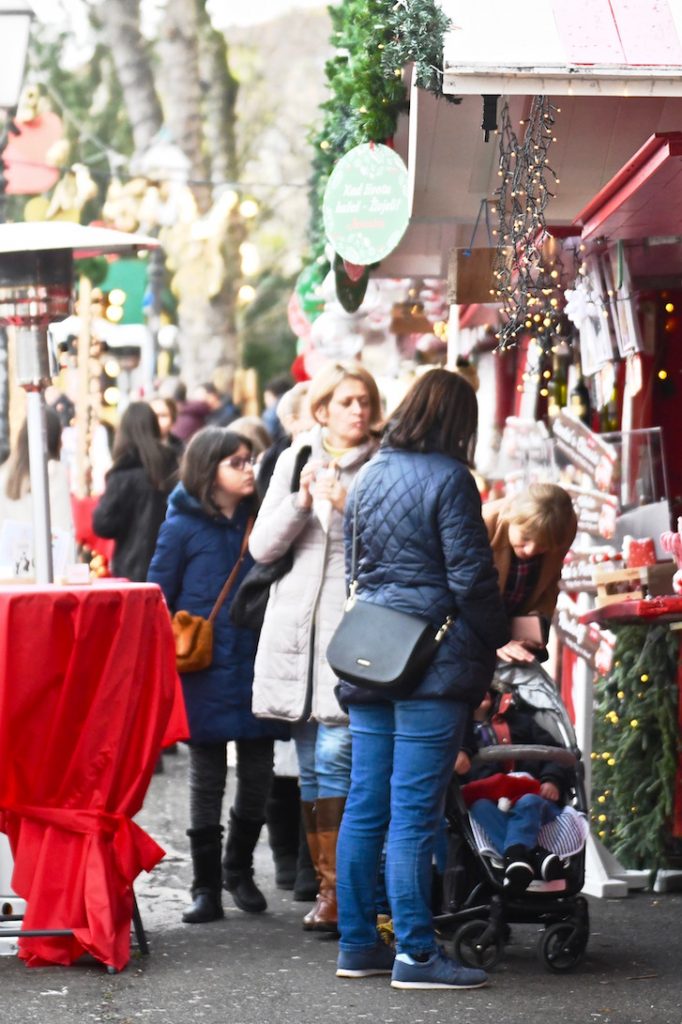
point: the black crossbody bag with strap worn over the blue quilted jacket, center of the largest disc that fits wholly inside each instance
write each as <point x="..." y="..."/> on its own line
<point x="377" y="647"/>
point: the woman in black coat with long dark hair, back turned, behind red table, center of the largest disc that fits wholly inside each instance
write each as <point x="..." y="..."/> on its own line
<point x="134" y="505"/>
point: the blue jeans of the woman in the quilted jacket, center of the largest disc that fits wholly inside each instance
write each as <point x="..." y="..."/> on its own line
<point x="403" y="759"/>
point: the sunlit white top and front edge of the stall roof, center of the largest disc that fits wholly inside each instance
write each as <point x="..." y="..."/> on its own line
<point x="565" y="48"/>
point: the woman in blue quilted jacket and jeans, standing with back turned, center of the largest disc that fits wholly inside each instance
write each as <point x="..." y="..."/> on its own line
<point x="422" y="548"/>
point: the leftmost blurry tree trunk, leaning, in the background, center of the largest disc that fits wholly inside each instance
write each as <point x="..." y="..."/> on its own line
<point x="120" y="29"/>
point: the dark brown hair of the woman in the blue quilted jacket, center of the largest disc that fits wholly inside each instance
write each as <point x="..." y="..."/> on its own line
<point x="439" y="414"/>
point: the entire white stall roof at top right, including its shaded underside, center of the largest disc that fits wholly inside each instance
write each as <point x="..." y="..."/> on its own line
<point x="613" y="67"/>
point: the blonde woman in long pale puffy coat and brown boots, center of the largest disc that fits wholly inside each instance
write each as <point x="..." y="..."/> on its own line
<point x="293" y="680"/>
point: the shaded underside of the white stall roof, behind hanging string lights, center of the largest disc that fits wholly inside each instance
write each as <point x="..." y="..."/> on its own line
<point x="452" y="167"/>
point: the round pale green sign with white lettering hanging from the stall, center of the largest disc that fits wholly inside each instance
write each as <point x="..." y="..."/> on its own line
<point x="366" y="205"/>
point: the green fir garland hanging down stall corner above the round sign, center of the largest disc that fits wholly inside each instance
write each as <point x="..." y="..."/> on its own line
<point x="374" y="40"/>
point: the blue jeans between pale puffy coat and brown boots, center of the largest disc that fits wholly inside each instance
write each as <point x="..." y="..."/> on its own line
<point x="324" y="759"/>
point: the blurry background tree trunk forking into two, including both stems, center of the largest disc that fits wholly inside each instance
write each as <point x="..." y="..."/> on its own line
<point x="199" y="110"/>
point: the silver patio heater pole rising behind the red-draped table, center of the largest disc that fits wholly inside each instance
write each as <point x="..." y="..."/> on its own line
<point x="42" y="532"/>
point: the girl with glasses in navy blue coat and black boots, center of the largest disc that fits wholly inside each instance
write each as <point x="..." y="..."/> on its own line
<point x="199" y="545"/>
